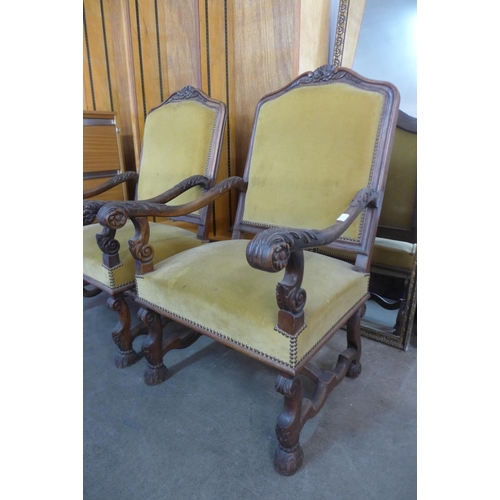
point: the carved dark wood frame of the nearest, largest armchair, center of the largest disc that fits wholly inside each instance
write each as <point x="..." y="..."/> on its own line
<point x="272" y="250"/>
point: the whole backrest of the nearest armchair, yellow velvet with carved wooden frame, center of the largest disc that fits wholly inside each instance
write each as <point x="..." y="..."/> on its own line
<point x="315" y="144"/>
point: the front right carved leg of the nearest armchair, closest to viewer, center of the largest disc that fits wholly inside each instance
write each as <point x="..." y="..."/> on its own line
<point x="289" y="454"/>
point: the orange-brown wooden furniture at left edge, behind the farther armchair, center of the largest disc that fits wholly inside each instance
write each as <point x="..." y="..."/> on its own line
<point x="102" y="153"/>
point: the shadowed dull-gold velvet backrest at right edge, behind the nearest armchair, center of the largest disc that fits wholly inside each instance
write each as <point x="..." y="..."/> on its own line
<point x="401" y="187"/>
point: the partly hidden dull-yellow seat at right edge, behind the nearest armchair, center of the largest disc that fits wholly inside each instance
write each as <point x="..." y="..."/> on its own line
<point x="391" y="254"/>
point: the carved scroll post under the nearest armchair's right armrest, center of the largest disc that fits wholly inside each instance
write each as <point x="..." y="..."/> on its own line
<point x="290" y="296"/>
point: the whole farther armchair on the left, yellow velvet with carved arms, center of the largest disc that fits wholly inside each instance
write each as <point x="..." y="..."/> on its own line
<point x="179" y="160"/>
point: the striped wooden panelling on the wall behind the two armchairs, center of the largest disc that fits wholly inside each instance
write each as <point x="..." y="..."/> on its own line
<point x="138" y="52"/>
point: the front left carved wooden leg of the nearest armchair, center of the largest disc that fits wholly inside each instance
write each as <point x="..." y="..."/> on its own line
<point x="156" y="372"/>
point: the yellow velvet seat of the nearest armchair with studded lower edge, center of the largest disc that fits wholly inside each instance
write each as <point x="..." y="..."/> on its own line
<point x="214" y="287"/>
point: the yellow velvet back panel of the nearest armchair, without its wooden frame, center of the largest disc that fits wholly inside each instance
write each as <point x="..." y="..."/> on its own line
<point x="322" y="161"/>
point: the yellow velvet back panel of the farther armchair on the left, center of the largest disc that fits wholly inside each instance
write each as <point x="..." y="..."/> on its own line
<point x="177" y="142"/>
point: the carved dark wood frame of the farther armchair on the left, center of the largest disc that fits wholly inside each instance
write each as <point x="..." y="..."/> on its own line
<point x="123" y="334"/>
